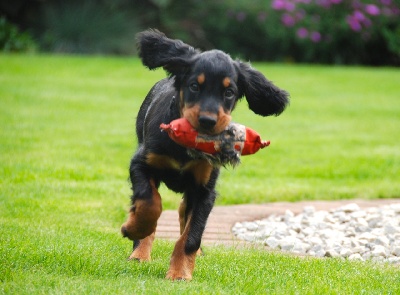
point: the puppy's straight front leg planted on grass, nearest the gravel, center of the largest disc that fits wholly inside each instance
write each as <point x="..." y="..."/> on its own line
<point x="199" y="205"/>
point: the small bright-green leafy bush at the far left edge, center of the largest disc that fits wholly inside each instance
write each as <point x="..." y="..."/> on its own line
<point x="12" y="40"/>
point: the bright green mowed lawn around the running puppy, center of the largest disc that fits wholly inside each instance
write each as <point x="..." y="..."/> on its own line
<point x="66" y="138"/>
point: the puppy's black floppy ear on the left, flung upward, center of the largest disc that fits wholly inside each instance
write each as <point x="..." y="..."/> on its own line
<point x="156" y="50"/>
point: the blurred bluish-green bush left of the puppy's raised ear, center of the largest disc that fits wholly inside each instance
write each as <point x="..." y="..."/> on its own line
<point x="87" y="27"/>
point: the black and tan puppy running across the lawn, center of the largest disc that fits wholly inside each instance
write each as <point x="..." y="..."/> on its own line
<point x="203" y="87"/>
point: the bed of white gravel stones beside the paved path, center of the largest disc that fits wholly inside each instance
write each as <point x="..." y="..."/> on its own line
<point x="347" y="232"/>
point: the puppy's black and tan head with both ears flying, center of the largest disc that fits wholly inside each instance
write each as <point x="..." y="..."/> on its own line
<point x="210" y="83"/>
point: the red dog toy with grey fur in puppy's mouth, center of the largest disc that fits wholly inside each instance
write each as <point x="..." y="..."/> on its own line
<point x="227" y="146"/>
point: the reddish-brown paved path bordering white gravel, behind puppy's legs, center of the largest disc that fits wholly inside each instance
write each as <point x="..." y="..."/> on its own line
<point x="222" y="218"/>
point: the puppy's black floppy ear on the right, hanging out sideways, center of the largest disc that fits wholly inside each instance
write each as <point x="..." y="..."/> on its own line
<point x="263" y="97"/>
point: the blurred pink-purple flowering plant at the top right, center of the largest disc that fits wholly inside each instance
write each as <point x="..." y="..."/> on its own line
<point x="308" y="17"/>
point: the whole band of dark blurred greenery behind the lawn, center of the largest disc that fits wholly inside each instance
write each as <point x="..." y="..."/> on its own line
<point x="311" y="31"/>
